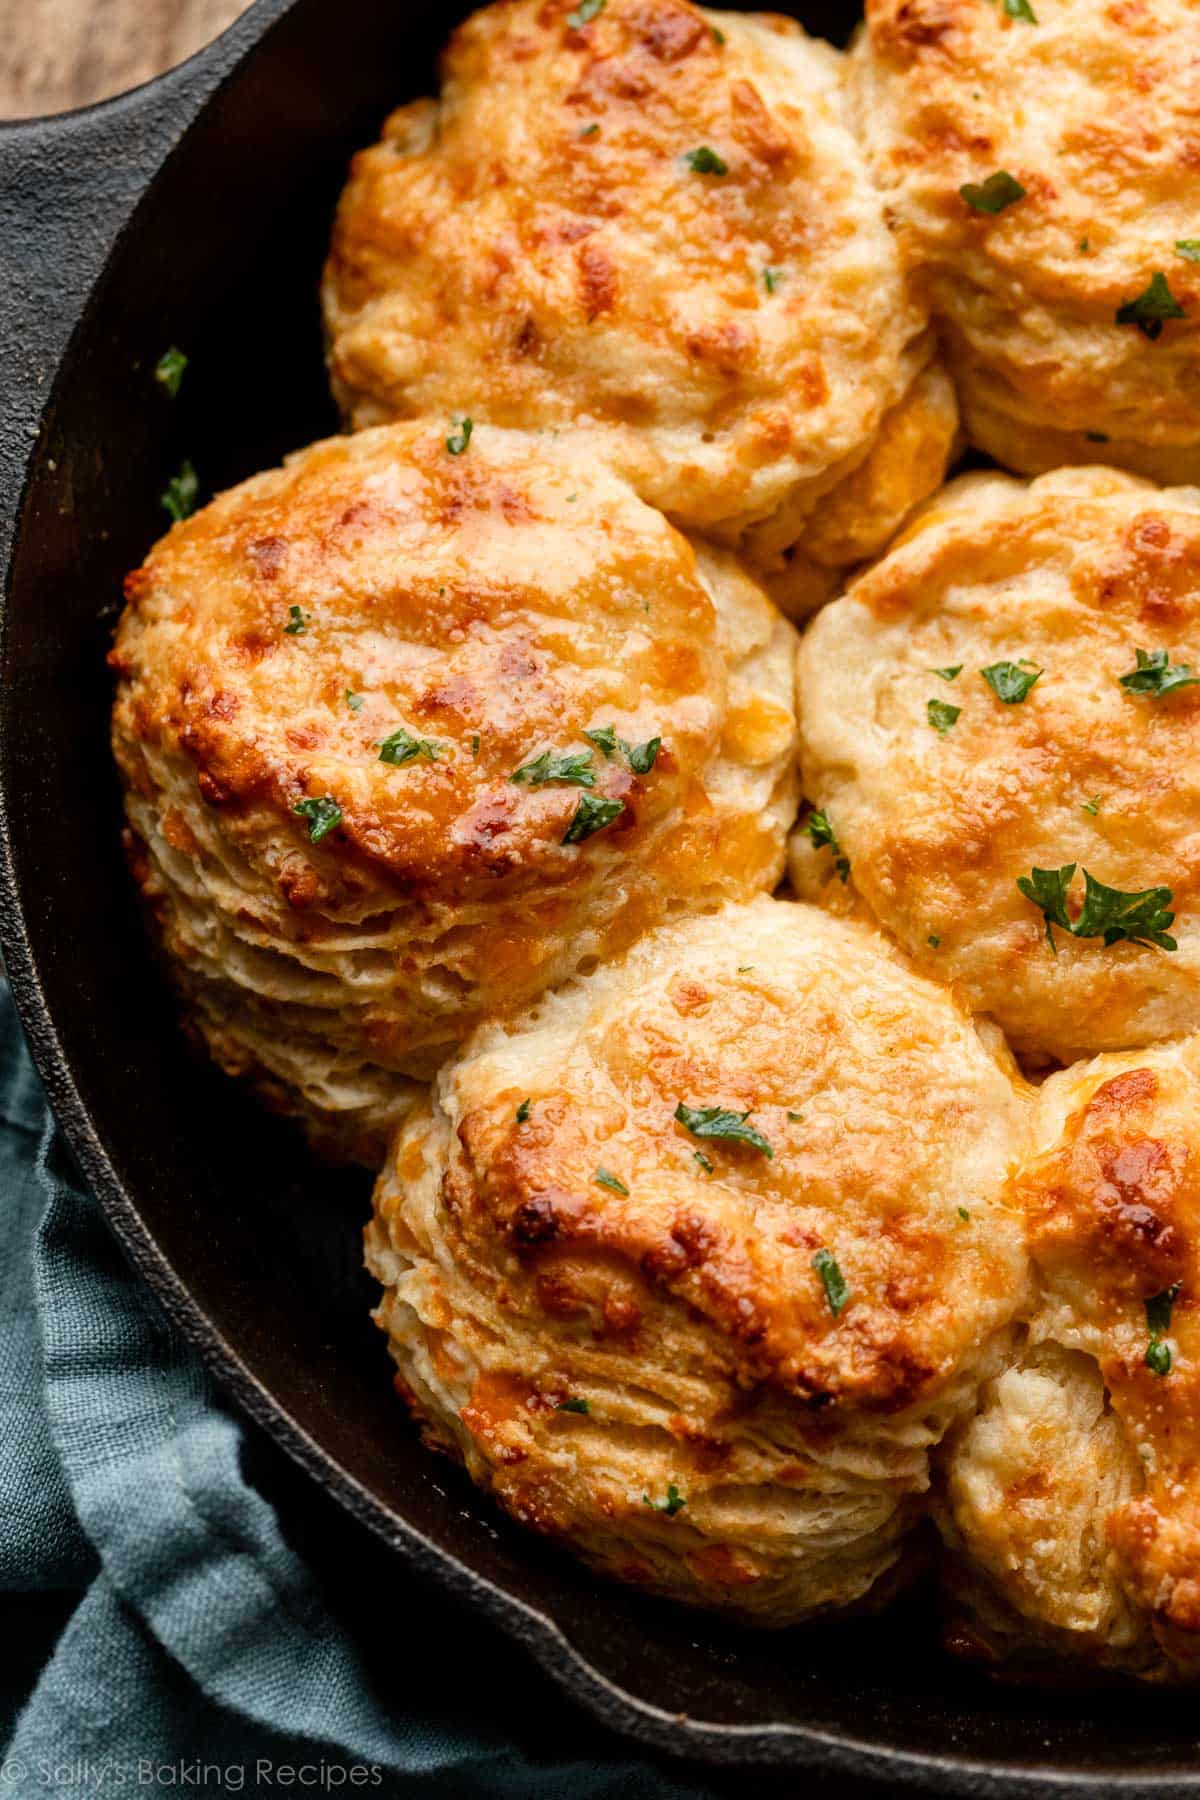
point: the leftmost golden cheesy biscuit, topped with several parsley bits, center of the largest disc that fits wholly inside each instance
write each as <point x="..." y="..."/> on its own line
<point x="354" y="724"/>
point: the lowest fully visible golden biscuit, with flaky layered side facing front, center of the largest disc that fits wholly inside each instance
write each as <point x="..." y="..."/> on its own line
<point x="697" y="1261"/>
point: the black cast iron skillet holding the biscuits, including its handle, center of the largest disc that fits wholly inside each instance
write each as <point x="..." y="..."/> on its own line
<point x="195" y="213"/>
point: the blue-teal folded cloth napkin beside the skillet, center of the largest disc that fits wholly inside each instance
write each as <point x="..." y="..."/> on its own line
<point x="184" y="1641"/>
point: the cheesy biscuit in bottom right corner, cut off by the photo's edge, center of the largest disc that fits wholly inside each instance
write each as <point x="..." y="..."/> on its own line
<point x="1073" y="1500"/>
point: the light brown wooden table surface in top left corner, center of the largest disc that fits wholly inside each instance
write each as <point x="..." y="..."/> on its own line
<point x="64" y="53"/>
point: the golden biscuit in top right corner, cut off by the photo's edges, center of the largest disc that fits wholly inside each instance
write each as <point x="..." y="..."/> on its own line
<point x="1043" y="168"/>
